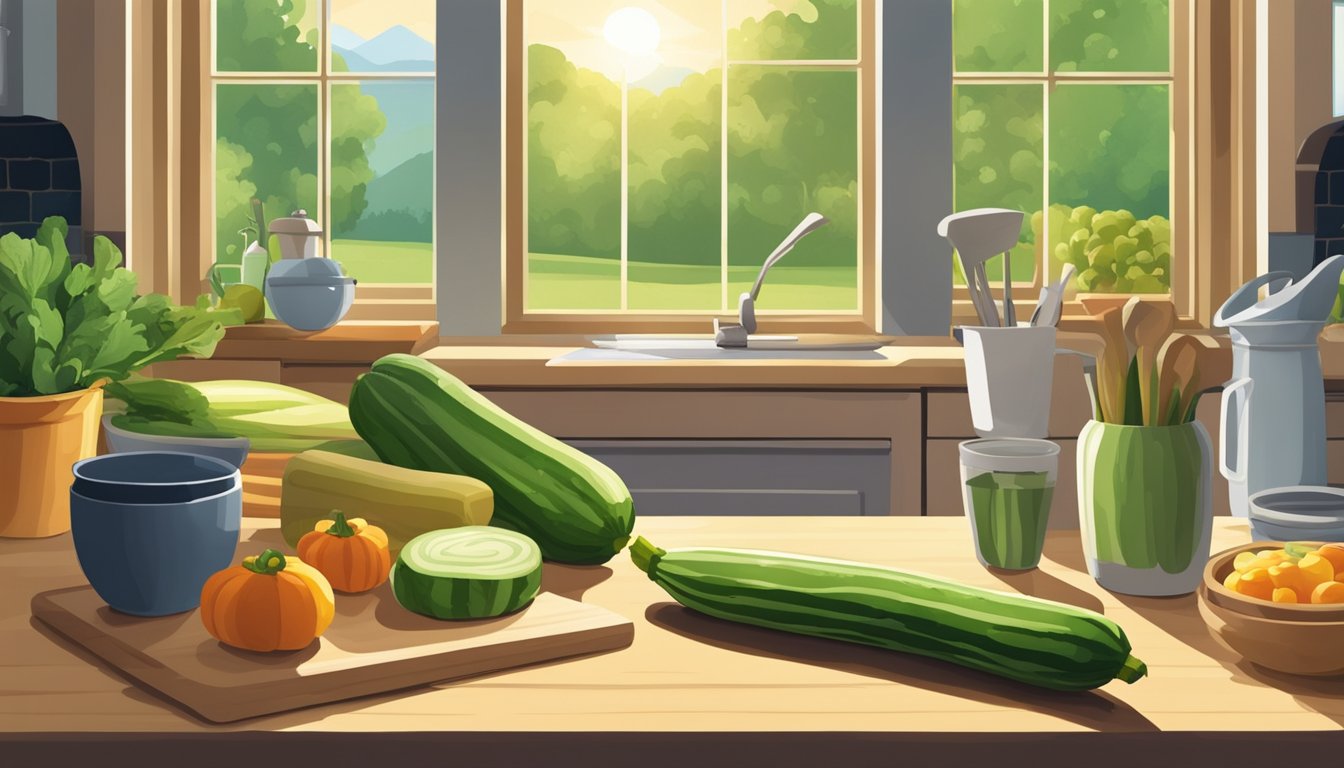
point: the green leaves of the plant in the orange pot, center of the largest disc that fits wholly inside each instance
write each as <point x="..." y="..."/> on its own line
<point x="67" y="328"/>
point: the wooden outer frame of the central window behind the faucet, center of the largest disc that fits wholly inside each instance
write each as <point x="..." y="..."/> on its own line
<point x="519" y="321"/>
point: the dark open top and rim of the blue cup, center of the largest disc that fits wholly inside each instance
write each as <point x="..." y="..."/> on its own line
<point x="153" y="478"/>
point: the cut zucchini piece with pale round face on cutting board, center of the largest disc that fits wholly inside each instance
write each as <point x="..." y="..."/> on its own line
<point x="474" y="572"/>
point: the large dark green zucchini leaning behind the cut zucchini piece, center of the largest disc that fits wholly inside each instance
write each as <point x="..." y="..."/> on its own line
<point x="415" y="415"/>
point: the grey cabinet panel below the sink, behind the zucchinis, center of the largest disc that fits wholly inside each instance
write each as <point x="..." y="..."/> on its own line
<point x="751" y="477"/>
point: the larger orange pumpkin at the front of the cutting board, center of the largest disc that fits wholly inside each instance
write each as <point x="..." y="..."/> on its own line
<point x="268" y="603"/>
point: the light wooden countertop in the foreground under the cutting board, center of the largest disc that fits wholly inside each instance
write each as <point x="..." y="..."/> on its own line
<point x="701" y="691"/>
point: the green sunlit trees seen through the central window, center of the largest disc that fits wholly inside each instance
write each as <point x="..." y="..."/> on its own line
<point x="792" y="149"/>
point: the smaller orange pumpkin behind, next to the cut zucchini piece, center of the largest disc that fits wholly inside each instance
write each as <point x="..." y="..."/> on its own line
<point x="351" y="555"/>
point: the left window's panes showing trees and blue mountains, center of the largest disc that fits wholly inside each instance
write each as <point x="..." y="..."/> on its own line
<point x="329" y="106"/>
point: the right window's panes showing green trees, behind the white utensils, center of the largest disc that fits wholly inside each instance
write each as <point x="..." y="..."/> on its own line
<point x="1064" y="110"/>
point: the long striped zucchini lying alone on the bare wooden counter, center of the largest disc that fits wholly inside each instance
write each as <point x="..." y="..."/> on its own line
<point x="1027" y="640"/>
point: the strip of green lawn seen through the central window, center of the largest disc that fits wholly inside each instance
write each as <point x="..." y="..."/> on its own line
<point x="585" y="283"/>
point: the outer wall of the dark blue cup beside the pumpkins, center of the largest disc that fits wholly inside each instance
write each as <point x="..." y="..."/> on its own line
<point x="153" y="560"/>
